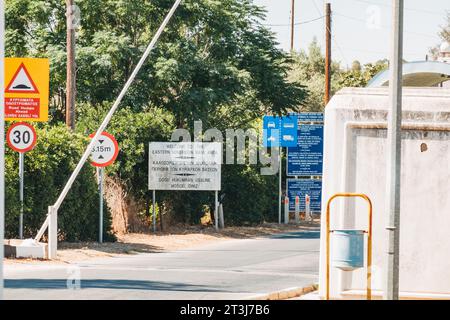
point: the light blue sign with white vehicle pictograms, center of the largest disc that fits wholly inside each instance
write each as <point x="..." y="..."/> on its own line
<point x="280" y="131"/>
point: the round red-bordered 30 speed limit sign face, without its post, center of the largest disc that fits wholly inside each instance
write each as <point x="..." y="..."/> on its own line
<point x="21" y="137"/>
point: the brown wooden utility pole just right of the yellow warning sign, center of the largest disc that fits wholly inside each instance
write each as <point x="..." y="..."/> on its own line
<point x="71" y="67"/>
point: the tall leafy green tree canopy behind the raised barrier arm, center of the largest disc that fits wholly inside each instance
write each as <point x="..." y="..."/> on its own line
<point x="215" y="58"/>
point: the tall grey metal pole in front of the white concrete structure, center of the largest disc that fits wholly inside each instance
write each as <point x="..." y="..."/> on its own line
<point x="394" y="153"/>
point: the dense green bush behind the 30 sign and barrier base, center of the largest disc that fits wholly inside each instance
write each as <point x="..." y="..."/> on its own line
<point x="47" y="169"/>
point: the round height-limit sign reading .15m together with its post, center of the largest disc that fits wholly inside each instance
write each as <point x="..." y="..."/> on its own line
<point x="104" y="153"/>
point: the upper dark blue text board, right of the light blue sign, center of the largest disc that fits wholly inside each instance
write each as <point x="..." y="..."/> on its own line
<point x="306" y="159"/>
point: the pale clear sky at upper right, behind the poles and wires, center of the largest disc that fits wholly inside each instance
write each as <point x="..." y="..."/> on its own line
<point x="361" y="27"/>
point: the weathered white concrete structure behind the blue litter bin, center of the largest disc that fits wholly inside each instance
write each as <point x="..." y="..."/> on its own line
<point x="355" y="161"/>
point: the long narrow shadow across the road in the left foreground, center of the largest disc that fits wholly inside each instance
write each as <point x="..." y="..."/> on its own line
<point x="61" y="284"/>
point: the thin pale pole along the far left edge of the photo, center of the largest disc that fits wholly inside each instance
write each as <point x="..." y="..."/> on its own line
<point x="2" y="143"/>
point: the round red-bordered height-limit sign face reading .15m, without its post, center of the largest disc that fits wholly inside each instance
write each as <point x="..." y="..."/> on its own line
<point x="105" y="151"/>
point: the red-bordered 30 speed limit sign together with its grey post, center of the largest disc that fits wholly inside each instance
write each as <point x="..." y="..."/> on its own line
<point x="21" y="137"/>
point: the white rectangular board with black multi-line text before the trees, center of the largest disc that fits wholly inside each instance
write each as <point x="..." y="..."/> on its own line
<point x="185" y="166"/>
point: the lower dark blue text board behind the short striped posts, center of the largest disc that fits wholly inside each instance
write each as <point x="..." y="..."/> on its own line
<point x="301" y="188"/>
